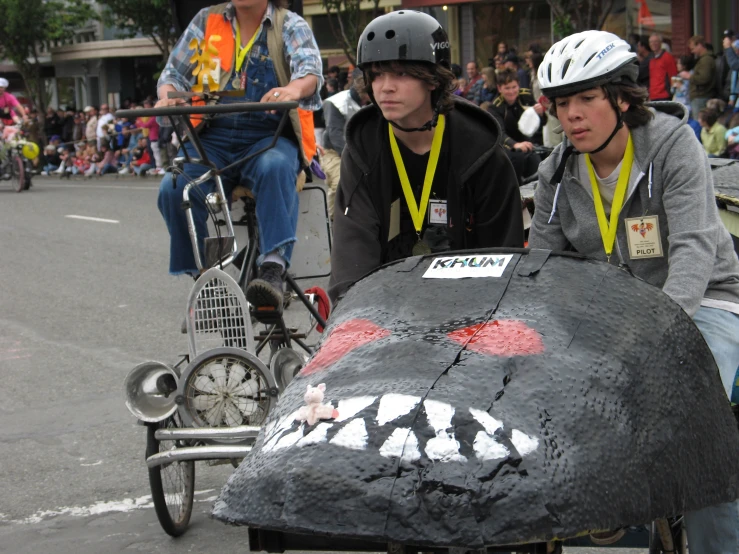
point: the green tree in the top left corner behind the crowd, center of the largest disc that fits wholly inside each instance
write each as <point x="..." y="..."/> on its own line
<point x="28" y="25"/>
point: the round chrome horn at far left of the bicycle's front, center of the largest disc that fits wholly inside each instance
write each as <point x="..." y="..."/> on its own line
<point x="151" y="388"/>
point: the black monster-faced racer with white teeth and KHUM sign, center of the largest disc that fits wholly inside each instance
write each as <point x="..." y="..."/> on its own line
<point x="500" y="400"/>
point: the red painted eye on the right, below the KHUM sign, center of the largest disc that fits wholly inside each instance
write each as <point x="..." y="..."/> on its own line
<point x="500" y="338"/>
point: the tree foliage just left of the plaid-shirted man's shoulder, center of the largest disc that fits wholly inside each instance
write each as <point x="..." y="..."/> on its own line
<point x="150" y="18"/>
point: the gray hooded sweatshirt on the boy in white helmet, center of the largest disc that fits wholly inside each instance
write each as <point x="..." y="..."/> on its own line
<point x="673" y="181"/>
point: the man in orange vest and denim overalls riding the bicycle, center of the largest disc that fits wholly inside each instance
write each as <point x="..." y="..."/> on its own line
<point x="269" y="54"/>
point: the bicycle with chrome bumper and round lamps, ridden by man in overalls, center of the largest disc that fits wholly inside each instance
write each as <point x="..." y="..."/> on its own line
<point x="212" y="403"/>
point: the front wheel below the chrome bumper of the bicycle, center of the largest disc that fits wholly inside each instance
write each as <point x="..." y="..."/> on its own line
<point x="172" y="485"/>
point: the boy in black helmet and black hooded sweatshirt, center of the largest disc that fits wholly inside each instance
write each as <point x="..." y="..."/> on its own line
<point x="421" y="171"/>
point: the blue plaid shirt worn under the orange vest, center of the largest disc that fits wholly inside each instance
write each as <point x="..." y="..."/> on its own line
<point x="301" y="52"/>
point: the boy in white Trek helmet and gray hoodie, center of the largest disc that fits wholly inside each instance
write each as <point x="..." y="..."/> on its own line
<point x="630" y="185"/>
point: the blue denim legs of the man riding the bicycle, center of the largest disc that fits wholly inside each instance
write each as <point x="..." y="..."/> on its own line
<point x="270" y="176"/>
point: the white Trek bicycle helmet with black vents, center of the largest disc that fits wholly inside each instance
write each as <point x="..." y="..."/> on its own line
<point x="586" y="60"/>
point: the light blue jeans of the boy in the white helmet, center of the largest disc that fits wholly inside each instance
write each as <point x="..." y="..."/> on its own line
<point x="715" y="530"/>
